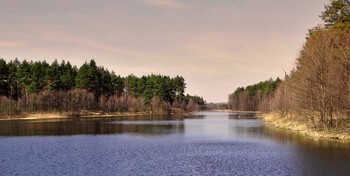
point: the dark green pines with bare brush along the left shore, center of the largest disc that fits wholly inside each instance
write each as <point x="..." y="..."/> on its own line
<point x="29" y="86"/>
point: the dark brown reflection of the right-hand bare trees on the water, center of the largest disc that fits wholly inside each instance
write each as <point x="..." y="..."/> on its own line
<point x="318" y="155"/>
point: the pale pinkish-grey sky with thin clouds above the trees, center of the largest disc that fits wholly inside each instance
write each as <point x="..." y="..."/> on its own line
<point x="216" y="45"/>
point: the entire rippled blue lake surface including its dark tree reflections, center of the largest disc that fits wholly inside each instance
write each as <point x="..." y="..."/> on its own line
<point x="208" y="143"/>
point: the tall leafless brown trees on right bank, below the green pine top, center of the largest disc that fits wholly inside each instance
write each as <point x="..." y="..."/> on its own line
<point x="318" y="90"/>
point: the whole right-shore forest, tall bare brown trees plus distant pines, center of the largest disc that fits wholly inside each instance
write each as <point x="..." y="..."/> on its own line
<point x="317" y="91"/>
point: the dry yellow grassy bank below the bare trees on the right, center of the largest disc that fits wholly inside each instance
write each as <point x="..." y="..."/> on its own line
<point x="275" y="120"/>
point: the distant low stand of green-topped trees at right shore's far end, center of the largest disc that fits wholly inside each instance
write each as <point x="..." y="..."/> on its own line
<point x="256" y="97"/>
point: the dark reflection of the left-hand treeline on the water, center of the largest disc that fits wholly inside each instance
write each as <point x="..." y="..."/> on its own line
<point x="93" y="126"/>
